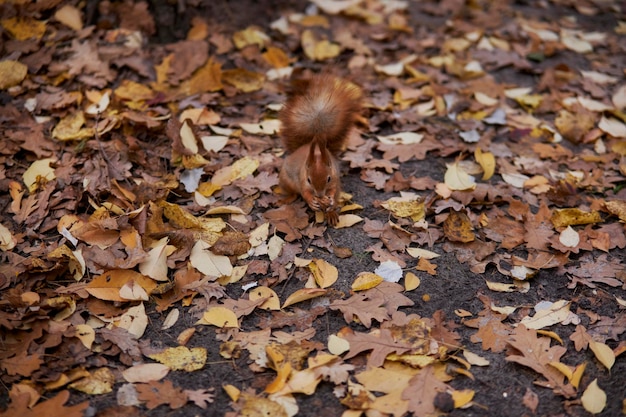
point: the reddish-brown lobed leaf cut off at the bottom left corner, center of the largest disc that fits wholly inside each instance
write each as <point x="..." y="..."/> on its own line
<point x="51" y="408"/>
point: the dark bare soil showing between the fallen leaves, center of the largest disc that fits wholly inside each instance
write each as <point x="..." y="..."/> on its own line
<point x="500" y="387"/>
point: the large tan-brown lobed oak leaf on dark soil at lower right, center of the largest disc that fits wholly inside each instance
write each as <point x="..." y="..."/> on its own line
<point x="536" y="353"/>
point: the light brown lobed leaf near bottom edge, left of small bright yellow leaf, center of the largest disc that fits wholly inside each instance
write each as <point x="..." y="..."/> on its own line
<point x="422" y="390"/>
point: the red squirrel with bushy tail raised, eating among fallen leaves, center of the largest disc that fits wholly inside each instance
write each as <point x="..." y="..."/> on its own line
<point x="316" y="121"/>
